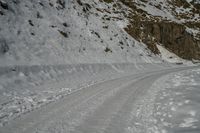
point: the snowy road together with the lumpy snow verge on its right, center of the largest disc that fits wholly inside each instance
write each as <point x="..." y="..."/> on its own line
<point x="161" y="101"/>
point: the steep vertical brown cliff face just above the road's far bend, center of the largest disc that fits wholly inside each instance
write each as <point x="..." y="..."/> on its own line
<point x="175" y="38"/>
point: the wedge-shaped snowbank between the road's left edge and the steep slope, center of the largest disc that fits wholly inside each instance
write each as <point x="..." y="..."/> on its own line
<point x="24" y="88"/>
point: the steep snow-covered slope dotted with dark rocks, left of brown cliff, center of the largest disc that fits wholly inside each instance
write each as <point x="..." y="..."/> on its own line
<point x="66" y="31"/>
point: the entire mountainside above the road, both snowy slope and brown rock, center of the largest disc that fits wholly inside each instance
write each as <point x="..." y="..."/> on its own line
<point x="99" y="31"/>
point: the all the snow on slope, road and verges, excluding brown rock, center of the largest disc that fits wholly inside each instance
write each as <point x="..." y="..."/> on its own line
<point x="51" y="51"/>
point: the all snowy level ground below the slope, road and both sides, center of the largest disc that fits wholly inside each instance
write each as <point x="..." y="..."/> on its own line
<point x="143" y="98"/>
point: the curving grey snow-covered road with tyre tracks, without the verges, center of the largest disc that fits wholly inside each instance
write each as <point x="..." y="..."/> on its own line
<point x="122" y="105"/>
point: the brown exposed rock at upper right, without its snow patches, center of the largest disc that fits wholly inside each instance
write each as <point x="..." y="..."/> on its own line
<point x="153" y="30"/>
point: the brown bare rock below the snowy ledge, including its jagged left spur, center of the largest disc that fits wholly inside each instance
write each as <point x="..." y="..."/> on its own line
<point x="172" y="35"/>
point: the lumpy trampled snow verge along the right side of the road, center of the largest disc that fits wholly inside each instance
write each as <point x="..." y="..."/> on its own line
<point x="177" y="106"/>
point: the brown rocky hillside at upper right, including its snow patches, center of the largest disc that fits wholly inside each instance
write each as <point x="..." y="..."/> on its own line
<point x="147" y="26"/>
